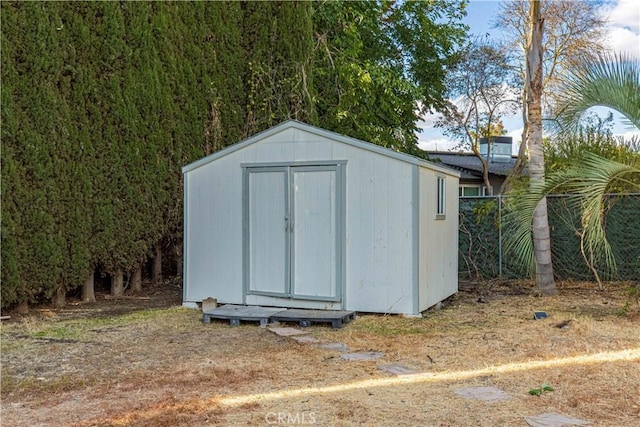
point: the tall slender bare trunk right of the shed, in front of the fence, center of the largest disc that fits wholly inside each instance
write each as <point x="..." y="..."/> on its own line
<point x="545" y="283"/>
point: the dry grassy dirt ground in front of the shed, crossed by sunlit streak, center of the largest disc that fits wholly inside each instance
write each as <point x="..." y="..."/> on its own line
<point x="145" y="361"/>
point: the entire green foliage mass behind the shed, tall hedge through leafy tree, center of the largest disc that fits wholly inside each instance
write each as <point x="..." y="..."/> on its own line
<point x="104" y="102"/>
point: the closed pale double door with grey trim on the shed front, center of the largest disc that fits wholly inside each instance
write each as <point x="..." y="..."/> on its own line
<point x="292" y="223"/>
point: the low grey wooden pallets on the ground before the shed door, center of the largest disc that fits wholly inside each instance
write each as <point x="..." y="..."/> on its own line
<point x="264" y="315"/>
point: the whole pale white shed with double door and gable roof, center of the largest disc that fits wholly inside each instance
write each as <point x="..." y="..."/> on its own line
<point x="301" y="217"/>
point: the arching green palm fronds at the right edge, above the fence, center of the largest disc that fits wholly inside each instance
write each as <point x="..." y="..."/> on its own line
<point x="612" y="81"/>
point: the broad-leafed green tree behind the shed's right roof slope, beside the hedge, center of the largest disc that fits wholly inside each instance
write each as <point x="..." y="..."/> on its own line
<point x="377" y="64"/>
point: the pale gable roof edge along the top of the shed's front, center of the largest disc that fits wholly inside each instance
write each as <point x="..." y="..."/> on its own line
<point x="320" y="132"/>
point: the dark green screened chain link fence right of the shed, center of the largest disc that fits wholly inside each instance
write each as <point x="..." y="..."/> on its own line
<point x="482" y="234"/>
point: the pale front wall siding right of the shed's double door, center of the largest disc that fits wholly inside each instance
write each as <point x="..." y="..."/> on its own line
<point x="379" y="232"/>
